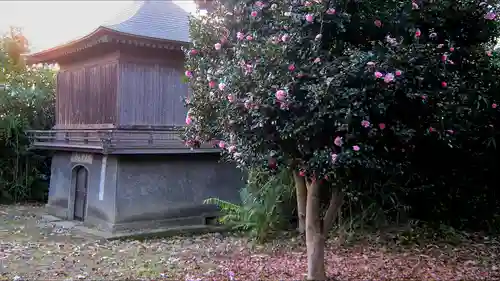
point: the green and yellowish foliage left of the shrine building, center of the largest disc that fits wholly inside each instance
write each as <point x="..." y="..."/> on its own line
<point x="26" y="102"/>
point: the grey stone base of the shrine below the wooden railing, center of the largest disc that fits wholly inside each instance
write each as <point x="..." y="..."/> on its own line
<point x="132" y="194"/>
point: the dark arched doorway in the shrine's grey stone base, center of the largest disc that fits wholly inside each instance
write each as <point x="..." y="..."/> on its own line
<point x="80" y="187"/>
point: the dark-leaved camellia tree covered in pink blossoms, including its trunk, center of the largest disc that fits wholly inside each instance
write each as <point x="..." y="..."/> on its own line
<point x="331" y="89"/>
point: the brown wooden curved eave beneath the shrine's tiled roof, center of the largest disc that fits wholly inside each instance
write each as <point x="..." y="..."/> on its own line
<point x="99" y="36"/>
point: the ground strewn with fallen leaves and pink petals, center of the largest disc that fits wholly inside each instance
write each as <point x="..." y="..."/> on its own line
<point x="33" y="249"/>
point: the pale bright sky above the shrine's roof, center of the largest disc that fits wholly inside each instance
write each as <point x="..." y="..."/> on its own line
<point x="49" y="23"/>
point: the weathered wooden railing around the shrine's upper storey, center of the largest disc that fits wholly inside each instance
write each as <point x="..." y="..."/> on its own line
<point x="110" y="140"/>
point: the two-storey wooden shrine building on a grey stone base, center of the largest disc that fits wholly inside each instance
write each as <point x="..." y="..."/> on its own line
<point x="119" y="163"/>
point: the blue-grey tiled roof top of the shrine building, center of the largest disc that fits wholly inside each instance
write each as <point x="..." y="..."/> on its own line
<point x="159" y="19"/>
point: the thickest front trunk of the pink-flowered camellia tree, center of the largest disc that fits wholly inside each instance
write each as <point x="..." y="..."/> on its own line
<point x="315" y="239"/>
